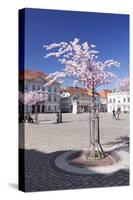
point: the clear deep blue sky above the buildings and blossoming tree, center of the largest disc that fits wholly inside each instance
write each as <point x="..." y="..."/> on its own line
<point x="110" y="33"/>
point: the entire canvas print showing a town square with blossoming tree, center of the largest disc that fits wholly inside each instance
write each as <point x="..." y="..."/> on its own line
<point x="74" y="102"/>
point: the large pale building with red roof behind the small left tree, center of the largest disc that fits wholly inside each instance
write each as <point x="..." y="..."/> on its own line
<point x="36" y="82"/>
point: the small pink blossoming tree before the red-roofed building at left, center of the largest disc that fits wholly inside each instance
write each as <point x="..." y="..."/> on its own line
<point x="33" y="98"/>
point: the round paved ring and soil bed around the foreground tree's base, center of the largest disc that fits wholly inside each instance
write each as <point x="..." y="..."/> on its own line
<point x="76" y="162"/>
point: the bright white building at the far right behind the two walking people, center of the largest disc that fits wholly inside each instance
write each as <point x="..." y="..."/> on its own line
<point x="119" y="100"/>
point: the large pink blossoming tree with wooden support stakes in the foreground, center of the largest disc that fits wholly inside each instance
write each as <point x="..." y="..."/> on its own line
<point x="80" y="61"/>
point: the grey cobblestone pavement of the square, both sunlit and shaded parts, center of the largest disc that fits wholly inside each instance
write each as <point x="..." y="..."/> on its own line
<point x="45" y="141"/>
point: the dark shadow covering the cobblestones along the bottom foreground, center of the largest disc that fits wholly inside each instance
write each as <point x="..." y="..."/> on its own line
<point x="37" y="172"/>
